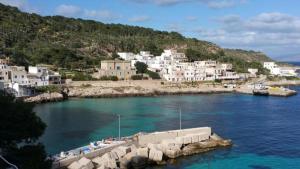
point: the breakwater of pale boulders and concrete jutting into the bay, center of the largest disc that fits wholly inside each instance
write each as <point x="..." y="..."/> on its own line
<point x="146" y="149"/>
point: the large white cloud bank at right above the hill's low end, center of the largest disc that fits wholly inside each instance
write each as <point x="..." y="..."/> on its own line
<point x="271" y="32"/>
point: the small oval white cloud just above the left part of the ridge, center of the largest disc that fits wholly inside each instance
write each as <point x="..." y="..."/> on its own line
<point x="68" y="10"/>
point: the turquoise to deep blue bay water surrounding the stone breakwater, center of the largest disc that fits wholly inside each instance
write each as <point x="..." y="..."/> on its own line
<point x="265" y="130"/>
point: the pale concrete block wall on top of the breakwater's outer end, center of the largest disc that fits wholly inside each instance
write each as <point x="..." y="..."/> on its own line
<point x="157" y="137"/>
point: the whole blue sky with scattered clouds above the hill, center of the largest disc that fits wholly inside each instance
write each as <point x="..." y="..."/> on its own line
<point x="270" y="26"/>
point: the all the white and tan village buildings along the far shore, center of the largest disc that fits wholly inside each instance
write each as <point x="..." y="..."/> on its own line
<point x="170" y="66"/>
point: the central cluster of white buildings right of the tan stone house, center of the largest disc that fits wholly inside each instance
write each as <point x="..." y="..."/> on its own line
<point x="173" y="66"/>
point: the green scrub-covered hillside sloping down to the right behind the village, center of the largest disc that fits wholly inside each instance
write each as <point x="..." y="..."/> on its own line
<point x="76" y="43"/>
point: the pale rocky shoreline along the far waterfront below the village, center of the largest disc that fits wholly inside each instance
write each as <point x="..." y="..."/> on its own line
<point x="149" y="88"/>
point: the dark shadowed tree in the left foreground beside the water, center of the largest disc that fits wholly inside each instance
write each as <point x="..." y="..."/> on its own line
<point x="20" y="129"/>
